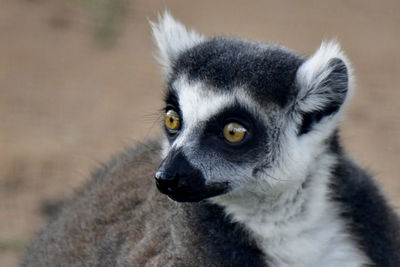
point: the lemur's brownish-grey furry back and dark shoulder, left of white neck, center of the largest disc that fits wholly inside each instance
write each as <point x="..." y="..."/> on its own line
<point x="119" y="219"/>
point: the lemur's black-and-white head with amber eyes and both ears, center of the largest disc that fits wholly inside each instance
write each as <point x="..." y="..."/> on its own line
<point x="241" y="115"/>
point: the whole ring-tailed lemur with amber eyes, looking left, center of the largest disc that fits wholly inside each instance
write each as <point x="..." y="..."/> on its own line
<point x="251" y="170"/>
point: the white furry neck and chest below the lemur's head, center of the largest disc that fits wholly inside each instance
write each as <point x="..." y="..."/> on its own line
<point x="296" y="223"/>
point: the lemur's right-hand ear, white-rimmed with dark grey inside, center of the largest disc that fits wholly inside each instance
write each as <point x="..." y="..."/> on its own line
<point x="324" y="81"/>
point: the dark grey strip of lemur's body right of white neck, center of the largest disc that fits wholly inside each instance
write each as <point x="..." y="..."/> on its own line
<point x="368" y="214"/>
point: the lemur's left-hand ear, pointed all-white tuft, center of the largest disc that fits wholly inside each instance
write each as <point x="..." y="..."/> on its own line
<point x="171" y="38"/>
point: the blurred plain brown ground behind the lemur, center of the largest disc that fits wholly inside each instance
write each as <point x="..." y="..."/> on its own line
<point x="78" y="83"/>
